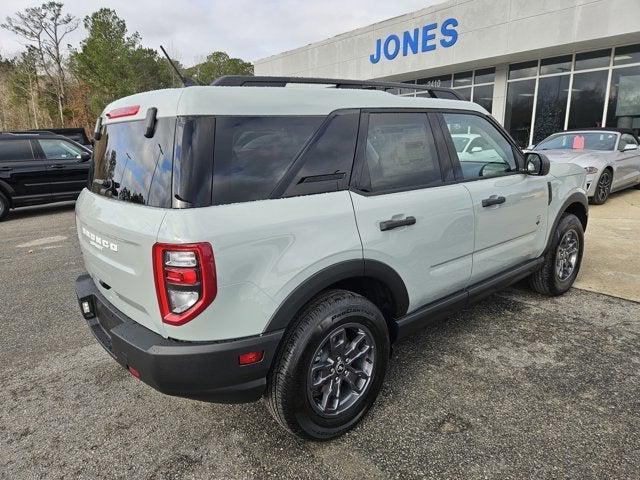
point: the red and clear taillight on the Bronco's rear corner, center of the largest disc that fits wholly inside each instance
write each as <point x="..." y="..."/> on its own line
<point x="185" y="278"/>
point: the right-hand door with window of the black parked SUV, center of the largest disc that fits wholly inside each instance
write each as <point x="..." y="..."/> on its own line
<point x="67" y="170"/>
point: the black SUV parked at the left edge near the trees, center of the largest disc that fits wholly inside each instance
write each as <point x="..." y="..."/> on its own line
<point x="38" y="168"/>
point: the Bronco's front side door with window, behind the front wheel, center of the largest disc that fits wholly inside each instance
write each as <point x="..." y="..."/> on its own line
<point x="510" y="207"/>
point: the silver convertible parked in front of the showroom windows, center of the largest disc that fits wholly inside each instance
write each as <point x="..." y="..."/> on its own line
<point x="611" y="158"/>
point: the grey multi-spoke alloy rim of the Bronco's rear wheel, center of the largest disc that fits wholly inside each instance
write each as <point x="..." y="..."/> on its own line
<point x="341" y="369"/>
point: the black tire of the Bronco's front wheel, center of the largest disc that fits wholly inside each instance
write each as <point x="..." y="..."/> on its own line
<point x="547" y="280"/>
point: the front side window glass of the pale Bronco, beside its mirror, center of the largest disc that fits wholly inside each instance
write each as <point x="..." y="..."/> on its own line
<point x="488" y="153"/>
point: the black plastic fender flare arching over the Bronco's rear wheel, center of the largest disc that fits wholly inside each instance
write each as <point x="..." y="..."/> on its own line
<point x="348" y="269"/>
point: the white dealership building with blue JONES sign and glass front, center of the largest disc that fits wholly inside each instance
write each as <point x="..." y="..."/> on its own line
<point x="538" y="66"/>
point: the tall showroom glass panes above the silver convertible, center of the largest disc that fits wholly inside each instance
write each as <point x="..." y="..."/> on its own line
<point x="588" y="89"/>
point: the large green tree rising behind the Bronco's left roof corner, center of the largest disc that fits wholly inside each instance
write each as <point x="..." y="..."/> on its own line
<point x="113" y="63"/>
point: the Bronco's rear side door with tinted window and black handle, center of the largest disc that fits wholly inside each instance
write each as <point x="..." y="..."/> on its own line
<point x="408" y="216"/>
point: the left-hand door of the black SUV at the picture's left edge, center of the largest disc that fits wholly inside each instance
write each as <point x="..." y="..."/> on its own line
<point x="23" y="173"/>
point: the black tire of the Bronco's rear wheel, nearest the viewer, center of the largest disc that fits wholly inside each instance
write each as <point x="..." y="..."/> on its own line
<point x="290" y="396"/>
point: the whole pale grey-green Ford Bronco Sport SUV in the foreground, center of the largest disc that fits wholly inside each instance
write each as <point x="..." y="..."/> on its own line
<point x="244" y="241"/>
